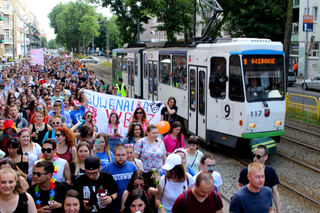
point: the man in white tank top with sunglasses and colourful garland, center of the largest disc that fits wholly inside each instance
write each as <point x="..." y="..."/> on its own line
<point x="48" y="150"/>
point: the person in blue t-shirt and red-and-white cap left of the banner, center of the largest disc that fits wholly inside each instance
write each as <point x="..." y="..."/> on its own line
<point x="78" y="109"/>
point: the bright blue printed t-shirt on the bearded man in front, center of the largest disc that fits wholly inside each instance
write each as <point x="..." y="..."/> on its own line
<point x="122" y="176"/>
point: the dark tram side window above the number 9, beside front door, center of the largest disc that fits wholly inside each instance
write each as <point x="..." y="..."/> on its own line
<point x="217" y="79"/>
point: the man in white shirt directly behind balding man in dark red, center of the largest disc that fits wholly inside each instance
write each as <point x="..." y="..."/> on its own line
<point x="207" y="164"/>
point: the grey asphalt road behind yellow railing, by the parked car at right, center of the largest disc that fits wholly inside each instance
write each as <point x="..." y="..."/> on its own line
<point x="297" y="89"/>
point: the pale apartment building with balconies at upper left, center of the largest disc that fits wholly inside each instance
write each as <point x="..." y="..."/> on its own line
<point x="21" y="30"/>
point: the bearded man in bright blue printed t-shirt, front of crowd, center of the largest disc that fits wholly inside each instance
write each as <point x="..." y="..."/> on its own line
<point x="121" y="170"/>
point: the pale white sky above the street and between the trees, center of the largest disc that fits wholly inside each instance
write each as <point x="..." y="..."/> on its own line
<point x="41" y="9"/>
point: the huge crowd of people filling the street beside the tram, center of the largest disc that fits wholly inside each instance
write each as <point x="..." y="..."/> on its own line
<point x="54" y="160"/>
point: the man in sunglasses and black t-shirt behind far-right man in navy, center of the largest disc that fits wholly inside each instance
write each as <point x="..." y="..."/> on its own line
<point x="260" y="155"/>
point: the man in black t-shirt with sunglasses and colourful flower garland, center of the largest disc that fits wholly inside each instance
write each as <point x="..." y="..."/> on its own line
<point x="47" y="193"/>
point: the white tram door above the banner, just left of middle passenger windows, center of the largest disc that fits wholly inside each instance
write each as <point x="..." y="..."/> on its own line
<point x="152" y="81"/>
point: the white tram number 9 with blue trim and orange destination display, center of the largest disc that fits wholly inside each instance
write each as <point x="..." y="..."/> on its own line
<point x="228" y="92"/>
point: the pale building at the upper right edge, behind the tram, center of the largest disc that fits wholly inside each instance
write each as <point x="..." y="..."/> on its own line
<point x="298" y="38"/>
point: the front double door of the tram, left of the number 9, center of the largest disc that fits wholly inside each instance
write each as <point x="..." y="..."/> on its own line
<point x="197" y="104"/>
